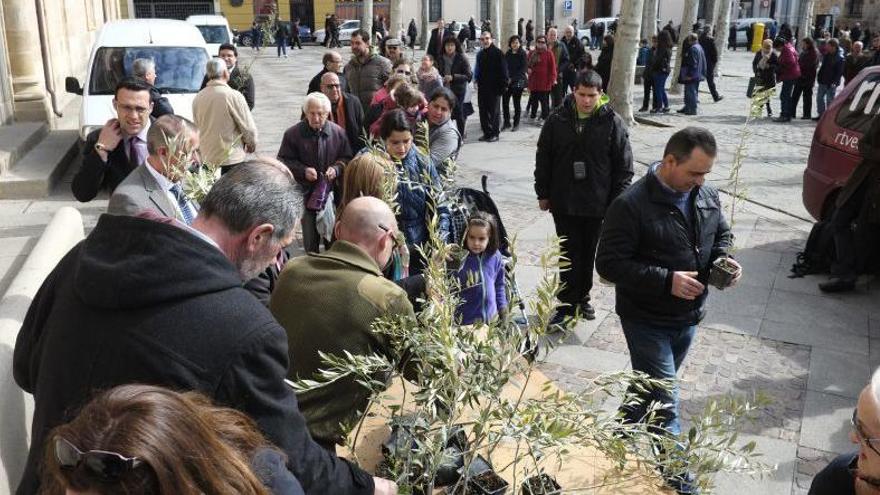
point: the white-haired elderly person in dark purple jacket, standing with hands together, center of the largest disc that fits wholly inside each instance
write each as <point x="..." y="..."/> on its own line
<point x="316" y="150"/>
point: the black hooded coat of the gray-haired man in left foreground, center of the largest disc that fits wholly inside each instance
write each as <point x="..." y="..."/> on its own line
<point x="145" y="302"/>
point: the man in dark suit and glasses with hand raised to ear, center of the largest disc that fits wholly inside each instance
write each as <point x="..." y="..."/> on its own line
<point x="112" y="152"/>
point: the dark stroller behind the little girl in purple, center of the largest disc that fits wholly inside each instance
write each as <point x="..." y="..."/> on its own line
<point x="468" y="201"/>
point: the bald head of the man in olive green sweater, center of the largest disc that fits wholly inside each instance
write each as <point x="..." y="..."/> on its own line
<point x="369" y="223"/>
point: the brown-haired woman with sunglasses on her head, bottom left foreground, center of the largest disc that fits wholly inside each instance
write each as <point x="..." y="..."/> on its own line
<point x="141" y="439"/>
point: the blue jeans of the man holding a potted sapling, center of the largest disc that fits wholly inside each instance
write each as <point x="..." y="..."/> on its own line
<point x="657" y="351"/>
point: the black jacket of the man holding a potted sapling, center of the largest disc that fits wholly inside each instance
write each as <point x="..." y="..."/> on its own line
<point x="645" y="238"/>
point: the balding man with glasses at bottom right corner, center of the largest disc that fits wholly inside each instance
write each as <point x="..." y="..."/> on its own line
<point x="857" y="472"/>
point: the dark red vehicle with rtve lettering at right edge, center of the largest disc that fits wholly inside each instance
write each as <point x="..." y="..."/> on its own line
<point x="835" y="149"/>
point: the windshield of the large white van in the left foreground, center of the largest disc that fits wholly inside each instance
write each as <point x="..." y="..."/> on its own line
<point x="178" y="69"/>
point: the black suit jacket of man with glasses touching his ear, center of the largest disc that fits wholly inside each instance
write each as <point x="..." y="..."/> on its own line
<point x="94" y="175"/>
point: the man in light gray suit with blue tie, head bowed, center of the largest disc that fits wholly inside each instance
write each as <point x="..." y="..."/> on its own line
<point x="155" y="184"/>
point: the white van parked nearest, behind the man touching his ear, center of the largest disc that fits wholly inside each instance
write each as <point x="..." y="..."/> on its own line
<point x="176" y="47"/>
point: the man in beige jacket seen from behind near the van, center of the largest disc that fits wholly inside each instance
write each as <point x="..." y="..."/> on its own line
<point x="228" y="130"/>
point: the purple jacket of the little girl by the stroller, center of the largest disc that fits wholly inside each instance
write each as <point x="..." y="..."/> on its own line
<point x="482" y="301"/>
